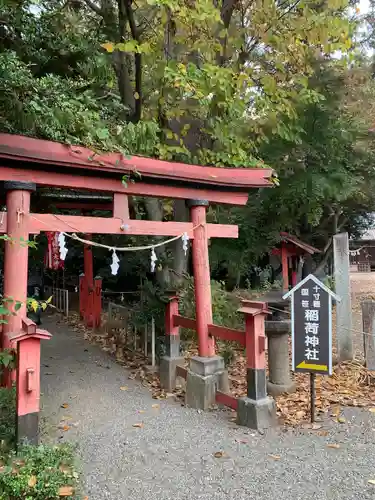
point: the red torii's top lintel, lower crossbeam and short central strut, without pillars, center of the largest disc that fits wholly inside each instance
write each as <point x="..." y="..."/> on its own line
<point x="48" y="163"/>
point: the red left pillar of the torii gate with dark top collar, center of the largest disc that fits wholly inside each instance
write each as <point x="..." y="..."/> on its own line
<point x="16" y="258"/>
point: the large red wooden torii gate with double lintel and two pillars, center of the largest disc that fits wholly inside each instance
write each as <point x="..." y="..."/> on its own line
<point x="27" y="163"/>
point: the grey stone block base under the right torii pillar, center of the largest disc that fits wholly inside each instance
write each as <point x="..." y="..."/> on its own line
<point x="205" y="376"/>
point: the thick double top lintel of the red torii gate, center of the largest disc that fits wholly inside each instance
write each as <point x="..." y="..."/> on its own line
<point x="54" y="164"/>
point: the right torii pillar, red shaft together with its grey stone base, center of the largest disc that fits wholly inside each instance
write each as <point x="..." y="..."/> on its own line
<point x="206" y="371"/>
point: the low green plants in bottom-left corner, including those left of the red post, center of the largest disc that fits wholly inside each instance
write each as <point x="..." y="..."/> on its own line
<point x="34" y="472"/>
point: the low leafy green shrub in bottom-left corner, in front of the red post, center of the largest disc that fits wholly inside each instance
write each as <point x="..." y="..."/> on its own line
<point x="38" y="472"/>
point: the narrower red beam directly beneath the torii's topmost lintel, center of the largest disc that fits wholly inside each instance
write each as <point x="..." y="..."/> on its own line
<point x="115" y="186"/>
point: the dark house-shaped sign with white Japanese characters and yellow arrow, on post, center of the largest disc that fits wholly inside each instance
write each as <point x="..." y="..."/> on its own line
<point x="311" y="308"/>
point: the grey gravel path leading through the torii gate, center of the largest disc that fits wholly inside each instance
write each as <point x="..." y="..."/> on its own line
<point x="172" y="455"/>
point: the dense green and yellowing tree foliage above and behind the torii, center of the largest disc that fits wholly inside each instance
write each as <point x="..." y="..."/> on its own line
<point x="226" y="83"/>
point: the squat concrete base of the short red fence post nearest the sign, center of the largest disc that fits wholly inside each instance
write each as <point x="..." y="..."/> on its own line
<point x="258" y="415"/>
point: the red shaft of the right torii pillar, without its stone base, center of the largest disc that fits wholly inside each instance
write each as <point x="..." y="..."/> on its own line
<point x="202" y="278"/>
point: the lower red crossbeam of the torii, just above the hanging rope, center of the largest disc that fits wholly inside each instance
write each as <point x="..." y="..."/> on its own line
<point x="104" y="225"/>
